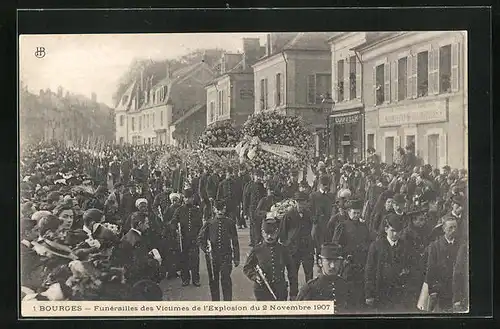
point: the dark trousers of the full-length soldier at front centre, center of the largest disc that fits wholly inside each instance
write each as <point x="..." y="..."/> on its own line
<point x="220" y="272"/>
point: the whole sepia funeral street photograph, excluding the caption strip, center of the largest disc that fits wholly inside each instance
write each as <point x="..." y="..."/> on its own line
<point x="312" y="166"/>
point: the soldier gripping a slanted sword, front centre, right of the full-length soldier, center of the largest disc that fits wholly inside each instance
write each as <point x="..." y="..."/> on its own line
<point x="271" y="257"/>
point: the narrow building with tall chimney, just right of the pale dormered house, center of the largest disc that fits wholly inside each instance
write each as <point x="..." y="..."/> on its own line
<point x="230" y="96"/>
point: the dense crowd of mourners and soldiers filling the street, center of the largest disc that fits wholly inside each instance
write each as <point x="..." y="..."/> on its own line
<point x="112" y="226"/>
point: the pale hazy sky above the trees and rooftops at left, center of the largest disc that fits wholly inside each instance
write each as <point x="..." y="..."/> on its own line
<point x="86" y="63"/>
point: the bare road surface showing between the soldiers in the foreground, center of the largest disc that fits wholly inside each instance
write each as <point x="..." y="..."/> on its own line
<point x="242" y="286"/>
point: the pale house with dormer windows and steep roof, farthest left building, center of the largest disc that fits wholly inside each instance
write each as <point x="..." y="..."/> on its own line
<point x="146" y="112"/>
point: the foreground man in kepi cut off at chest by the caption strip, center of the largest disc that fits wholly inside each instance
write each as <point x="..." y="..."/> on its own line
<point x="329" y="285"/>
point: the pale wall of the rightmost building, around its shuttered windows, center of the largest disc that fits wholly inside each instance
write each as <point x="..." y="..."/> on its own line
<point x="452" y="128"/>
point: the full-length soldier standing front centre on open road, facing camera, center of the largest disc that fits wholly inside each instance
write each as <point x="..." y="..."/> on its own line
<point x="218" y="236"/>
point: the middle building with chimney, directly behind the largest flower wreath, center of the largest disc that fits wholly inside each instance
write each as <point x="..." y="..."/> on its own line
<point x="294" y="78"/>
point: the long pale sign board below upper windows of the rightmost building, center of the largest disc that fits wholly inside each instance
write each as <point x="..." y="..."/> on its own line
<point x="415" y="114"/>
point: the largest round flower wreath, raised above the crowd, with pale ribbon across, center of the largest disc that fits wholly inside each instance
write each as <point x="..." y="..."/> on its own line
<point x="275" y="128"/>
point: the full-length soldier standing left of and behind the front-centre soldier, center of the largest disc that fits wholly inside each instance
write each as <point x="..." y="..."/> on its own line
<point x="190" y="218"/>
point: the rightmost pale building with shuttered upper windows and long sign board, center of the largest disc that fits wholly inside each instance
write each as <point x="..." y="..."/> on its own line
<point x="415" y="92"/>
